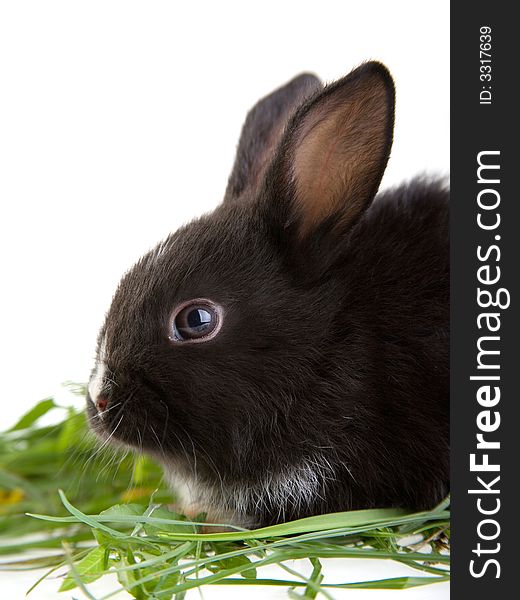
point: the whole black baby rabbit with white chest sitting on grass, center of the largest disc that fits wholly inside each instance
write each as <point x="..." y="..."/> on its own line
<point x="288" y="354"/>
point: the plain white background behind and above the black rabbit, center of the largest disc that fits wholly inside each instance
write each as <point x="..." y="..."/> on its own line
<point x="118" y="122"/>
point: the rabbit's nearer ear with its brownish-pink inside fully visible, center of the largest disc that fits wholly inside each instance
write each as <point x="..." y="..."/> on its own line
<point x="333" y="155"/>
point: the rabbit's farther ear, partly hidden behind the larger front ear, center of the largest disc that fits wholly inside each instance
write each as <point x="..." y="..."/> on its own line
<point x="263" y="130"/>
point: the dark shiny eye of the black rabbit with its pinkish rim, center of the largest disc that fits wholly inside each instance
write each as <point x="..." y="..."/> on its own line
<point x="195" y="321"/>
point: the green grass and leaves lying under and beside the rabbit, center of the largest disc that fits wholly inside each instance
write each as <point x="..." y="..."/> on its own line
<point x="88" y="512"/>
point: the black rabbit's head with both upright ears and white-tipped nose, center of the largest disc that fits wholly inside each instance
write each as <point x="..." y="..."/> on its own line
<point x="217" y="342"/>
